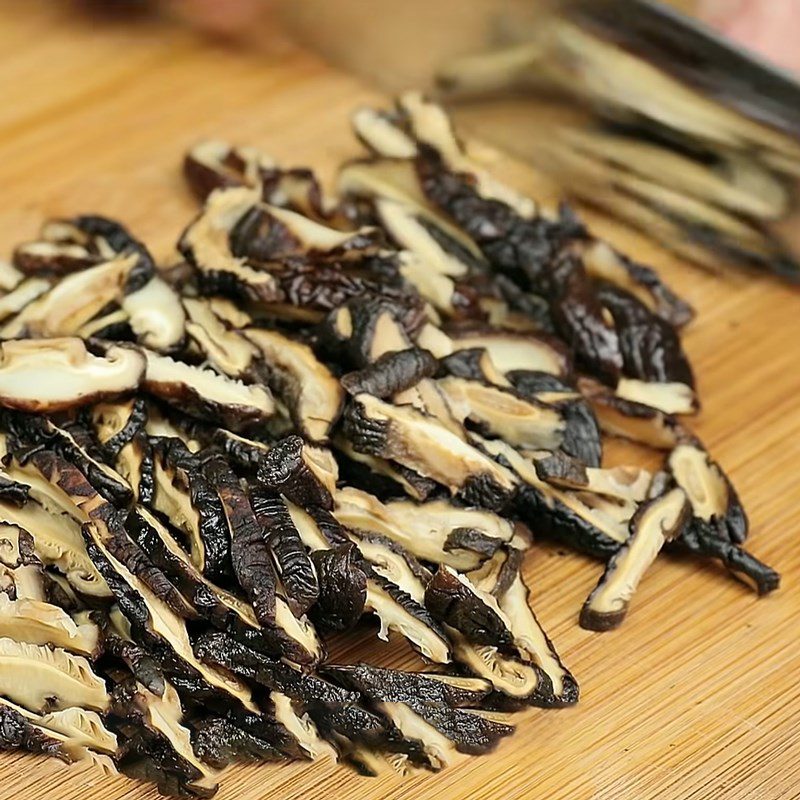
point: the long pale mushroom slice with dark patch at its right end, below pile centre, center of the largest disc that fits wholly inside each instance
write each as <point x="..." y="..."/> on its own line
<point x="434" y="531"/>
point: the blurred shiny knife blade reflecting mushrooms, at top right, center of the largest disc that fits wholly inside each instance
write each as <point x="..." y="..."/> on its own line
<point x="638" y="109"/>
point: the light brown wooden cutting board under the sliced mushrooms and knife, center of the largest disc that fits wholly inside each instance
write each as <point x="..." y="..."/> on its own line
<point x="697" y="696"/>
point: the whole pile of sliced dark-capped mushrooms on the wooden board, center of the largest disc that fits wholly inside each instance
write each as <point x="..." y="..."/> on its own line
<point x="328" y="410"/>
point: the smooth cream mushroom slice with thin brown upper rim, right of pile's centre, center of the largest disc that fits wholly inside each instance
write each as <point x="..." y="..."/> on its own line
<point x="511" y="351"/>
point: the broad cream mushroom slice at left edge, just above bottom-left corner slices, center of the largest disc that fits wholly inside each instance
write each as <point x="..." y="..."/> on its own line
<point x="43" y="679"/>
